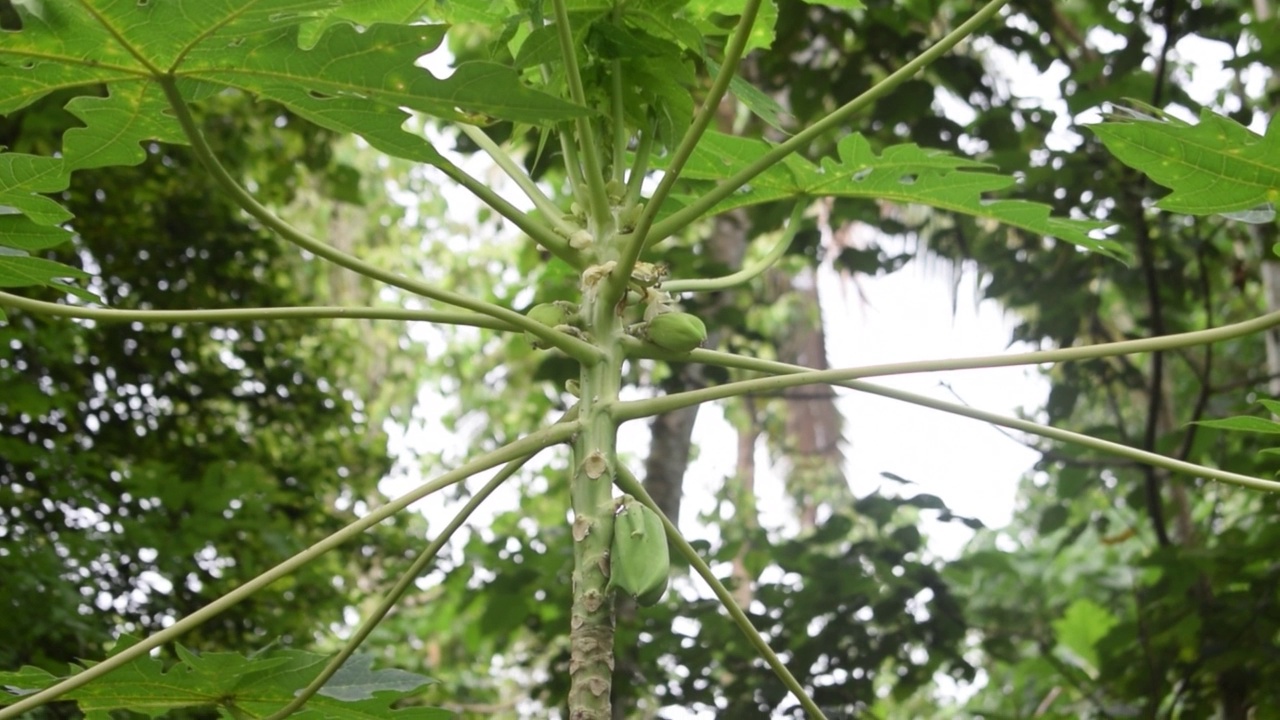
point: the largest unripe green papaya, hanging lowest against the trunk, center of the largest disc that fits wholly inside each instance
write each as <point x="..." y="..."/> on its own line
<point x="639" y="560"/>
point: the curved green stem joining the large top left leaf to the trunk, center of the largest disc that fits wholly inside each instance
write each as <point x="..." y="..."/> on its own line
<point x="572" y="347"/>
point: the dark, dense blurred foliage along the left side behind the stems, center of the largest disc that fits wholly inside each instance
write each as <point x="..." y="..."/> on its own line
<point x="145" y="468"/>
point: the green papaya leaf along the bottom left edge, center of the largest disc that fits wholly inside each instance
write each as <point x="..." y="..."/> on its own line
<point x="239" y="686"/>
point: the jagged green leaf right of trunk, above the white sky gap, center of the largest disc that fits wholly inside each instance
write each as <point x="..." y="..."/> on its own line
<point x="902" y="174"/>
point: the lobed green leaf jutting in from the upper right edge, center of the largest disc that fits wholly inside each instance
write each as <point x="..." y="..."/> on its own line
<point x="1214" y="167"/>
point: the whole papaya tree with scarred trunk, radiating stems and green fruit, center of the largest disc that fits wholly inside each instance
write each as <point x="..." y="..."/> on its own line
<point x="619" y="102"/>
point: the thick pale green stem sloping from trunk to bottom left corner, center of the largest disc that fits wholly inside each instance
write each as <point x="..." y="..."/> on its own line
<point x="528" y="445"/>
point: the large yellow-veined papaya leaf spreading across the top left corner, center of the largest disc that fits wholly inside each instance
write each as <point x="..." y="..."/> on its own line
<point x="255" y="47"/>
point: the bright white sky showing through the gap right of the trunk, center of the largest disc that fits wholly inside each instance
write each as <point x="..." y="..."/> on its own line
<point x="908" y="317"/>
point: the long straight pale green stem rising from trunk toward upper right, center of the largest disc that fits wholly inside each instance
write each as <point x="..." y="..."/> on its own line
<point x="804" y="139"/>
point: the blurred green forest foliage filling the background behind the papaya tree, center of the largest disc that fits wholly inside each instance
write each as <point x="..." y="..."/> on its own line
<point x="134" y="459"/>
